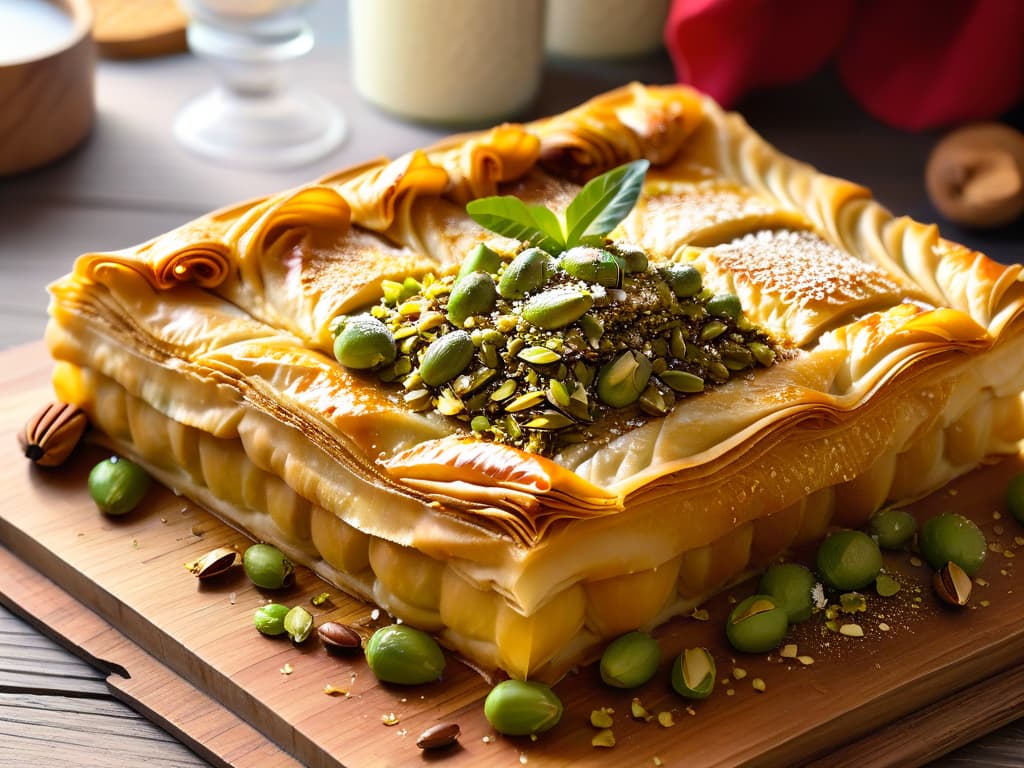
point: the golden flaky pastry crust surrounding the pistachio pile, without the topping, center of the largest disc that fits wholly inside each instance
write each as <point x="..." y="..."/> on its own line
<point x="905" y="370"/>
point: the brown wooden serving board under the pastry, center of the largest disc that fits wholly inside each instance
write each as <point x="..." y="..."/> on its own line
<point x="948" y="675"/>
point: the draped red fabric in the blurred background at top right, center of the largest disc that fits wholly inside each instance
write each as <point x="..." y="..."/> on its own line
<point x="913" y="64"/>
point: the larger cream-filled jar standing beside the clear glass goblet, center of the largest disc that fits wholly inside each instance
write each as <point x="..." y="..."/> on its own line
<point x="448" y="62"/>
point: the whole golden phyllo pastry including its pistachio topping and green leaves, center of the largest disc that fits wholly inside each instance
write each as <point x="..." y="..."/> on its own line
<point x="542" y="386"/>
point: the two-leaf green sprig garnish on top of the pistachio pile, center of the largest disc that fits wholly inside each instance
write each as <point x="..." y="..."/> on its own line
<point x="595" y="211"/>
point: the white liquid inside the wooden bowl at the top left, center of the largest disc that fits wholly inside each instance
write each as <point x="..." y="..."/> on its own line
<point x="33" y="29"/>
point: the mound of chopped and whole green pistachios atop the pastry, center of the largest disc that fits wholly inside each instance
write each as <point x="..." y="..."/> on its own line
<point x="538" y="370"/>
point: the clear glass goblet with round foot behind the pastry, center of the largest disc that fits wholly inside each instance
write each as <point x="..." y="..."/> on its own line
<point x="253" y="119"/>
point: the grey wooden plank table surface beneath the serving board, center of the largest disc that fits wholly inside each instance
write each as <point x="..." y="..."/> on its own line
<point x="131" y="182"/>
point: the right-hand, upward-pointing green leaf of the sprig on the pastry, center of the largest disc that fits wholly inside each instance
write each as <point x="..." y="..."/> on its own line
<point x="604" y="202"/>
